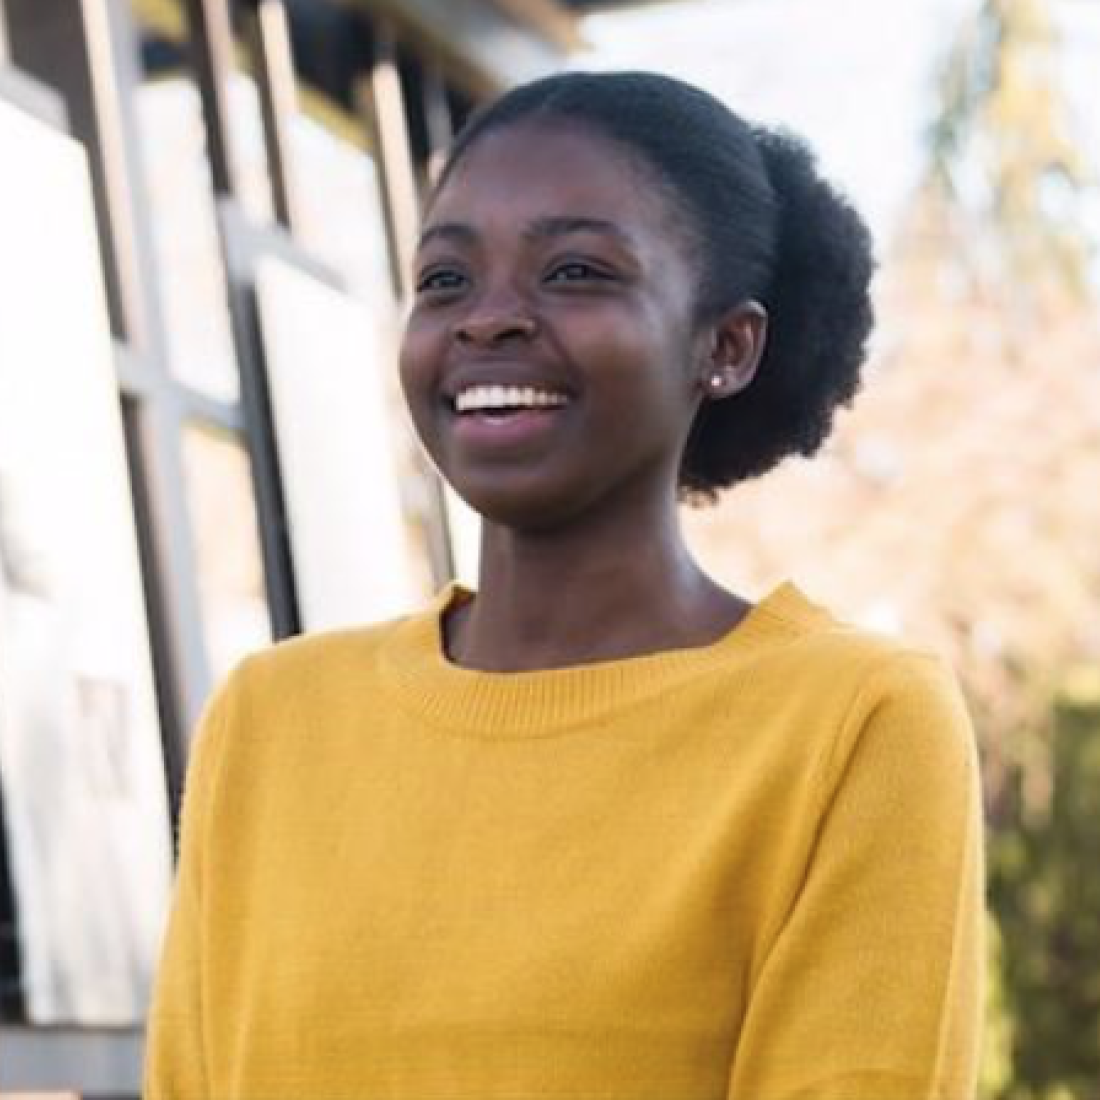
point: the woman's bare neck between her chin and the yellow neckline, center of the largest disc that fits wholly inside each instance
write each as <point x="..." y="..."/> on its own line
<point x="559" y="599"/>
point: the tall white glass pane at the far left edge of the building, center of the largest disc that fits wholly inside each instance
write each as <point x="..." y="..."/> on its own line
<point x="81" y="749"/>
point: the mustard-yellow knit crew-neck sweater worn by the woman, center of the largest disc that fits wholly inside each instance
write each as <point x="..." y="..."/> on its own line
<point x="749" y="871"/>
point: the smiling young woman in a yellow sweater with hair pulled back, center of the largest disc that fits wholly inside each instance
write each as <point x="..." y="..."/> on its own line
<point x="602" y="829"/>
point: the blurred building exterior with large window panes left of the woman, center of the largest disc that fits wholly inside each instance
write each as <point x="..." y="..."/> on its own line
<point x="206" y="212"/>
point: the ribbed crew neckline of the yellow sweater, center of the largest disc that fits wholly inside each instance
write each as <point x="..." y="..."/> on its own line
<point x="533" y="703"/>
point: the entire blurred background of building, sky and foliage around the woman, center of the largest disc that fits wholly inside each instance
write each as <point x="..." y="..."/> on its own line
<point x="206" y="214"/>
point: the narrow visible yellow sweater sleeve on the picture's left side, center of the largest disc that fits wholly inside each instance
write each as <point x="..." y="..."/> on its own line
<point x="175" y="1061"/>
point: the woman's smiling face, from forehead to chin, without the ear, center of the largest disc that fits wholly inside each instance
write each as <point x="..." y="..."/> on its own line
<point x="548" y="359"/>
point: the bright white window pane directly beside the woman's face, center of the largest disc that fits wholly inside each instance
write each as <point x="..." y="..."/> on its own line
<point x="349" y="532"/>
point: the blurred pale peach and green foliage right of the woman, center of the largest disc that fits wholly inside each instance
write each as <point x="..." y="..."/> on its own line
<point x="960" y="504"/>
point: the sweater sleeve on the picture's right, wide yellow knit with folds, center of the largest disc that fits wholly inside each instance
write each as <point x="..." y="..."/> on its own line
<point x="874" y="988"/>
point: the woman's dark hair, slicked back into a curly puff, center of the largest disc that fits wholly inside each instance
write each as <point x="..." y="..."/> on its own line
<point x="768" y="228"/>
